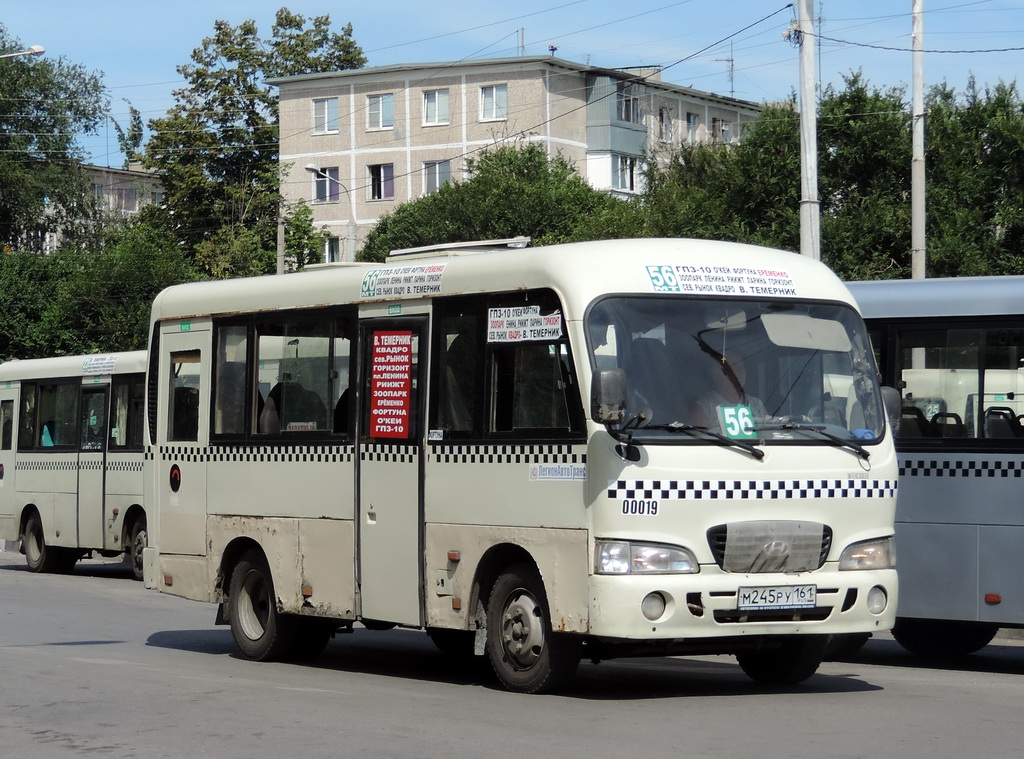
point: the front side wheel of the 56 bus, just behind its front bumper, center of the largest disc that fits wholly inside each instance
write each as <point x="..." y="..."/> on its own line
<point x="525" y="654"/>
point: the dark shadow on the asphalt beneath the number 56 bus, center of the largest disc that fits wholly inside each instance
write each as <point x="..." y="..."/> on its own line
<point x="410" y="655"/>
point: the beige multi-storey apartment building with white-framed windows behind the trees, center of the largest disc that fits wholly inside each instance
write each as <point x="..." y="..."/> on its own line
<point x="357" y="144"/>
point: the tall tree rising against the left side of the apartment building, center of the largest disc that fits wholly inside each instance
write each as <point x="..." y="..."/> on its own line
<point x="218" y="147"/>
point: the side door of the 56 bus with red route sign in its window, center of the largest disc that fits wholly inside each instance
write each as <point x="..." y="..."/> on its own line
<point x="391" y="470"/>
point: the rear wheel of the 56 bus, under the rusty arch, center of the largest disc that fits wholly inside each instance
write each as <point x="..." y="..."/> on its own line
<point x="261" y="632"/>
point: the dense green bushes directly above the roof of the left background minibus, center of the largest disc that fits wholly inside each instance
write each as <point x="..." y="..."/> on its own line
<point x="80" y="301"/>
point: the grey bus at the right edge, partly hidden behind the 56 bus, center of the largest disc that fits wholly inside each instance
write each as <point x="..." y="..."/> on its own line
<point x="955" y="349"/>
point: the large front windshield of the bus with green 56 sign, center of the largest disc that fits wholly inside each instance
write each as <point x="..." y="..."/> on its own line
<point x="750" y="370"/>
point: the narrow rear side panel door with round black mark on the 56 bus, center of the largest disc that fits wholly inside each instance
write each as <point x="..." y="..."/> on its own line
<point x="183" y="434"/>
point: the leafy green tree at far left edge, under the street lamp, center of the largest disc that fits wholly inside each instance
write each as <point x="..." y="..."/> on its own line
<point x="46" y="103"/>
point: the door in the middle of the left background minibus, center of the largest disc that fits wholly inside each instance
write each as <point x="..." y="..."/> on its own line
<point x="93" y="467"/>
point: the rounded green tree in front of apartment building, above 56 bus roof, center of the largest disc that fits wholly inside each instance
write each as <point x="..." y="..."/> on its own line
<point x="513" y="191"/>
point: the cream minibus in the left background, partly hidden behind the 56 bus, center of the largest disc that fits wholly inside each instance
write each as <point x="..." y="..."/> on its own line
<point x="71" y="458"/>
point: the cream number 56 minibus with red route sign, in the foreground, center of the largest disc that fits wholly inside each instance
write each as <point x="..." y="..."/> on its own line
<point x="595" y="450"/>
